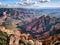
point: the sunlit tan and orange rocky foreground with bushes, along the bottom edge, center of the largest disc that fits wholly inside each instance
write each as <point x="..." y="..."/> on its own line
<point x="15" y="37"/>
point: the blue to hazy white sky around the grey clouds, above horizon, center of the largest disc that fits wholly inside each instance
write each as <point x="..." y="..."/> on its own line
<point x="51" y="3"/>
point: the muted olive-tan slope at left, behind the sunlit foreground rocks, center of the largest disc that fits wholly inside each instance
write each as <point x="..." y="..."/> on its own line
<point x="9" y="23"/>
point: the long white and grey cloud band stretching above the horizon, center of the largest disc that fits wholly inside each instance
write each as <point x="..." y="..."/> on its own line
<point x="32" y="5"/>
